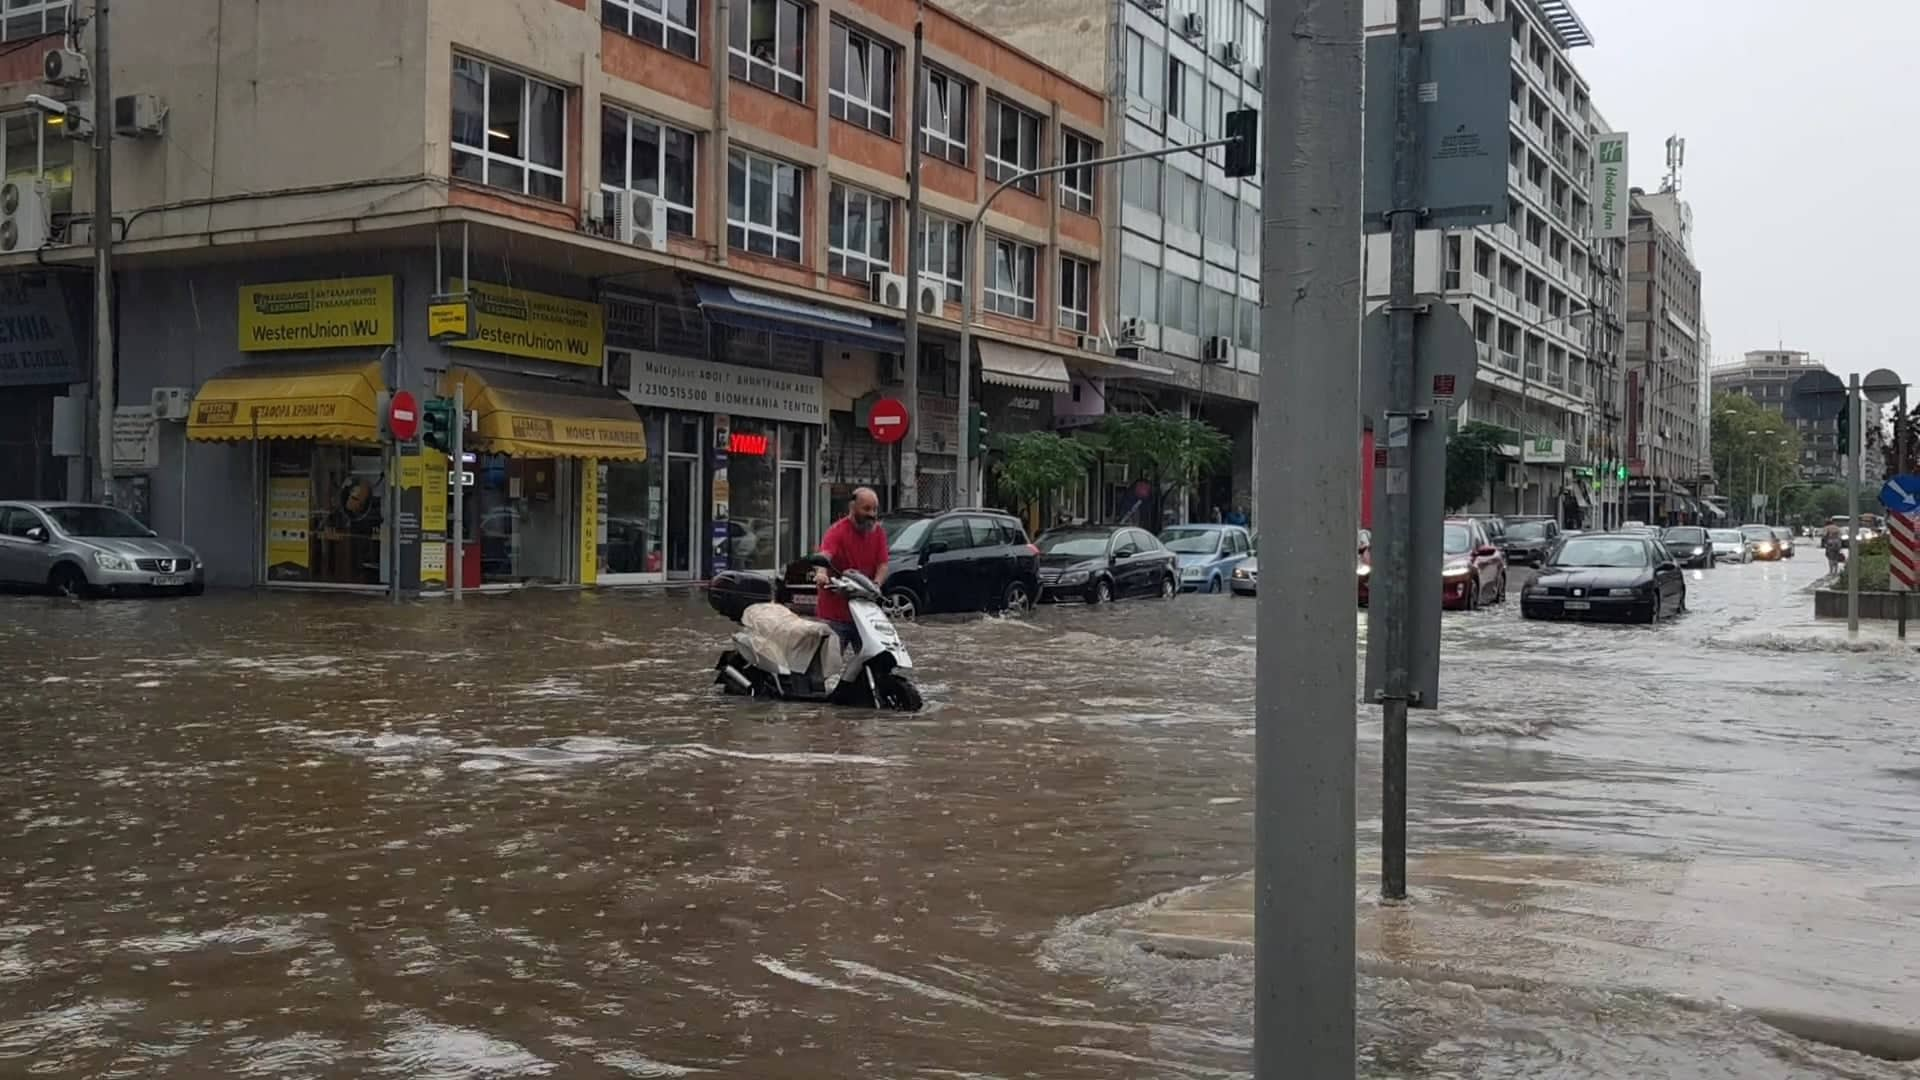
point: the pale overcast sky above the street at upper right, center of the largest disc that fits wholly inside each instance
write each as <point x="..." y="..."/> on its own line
<point x="1802" y="135"/>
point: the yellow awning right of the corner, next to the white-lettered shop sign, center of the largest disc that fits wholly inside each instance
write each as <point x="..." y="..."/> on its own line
<point x="529" y="416"/>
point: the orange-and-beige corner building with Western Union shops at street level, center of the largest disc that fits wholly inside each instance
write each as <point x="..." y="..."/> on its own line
<point x="661" y="251"/>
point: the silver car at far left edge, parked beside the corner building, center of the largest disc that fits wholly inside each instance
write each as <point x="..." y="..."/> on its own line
<point x="87" y="549"/>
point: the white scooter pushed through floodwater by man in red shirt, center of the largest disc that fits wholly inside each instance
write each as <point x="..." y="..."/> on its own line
<point x="782" y="654"/>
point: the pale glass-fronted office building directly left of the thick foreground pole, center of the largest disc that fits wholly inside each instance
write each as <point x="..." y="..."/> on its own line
<point x="1184" y="235"/>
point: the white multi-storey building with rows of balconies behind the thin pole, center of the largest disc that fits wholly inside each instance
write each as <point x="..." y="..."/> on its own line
<point x="1524" y="285"/>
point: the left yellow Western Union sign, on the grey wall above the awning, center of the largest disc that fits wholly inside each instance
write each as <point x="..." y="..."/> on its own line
<point x="345" y="312"/>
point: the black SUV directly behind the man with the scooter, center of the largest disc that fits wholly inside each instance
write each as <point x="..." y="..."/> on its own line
<point x="961" y="560"/>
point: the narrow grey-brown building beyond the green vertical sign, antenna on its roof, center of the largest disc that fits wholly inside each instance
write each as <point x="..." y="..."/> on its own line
<point x="1668" y="435"/>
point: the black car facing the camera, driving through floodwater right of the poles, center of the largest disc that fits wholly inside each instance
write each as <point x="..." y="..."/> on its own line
<point x="1608" y="576"/>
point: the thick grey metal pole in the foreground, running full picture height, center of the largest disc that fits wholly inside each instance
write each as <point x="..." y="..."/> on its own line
<point x="1307" y="639"/>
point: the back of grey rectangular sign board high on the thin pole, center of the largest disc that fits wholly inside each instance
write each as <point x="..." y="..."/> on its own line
<point x="1462" y="114"/>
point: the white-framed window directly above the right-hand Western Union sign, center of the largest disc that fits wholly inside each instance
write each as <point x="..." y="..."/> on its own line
<point x="510" y="132"/>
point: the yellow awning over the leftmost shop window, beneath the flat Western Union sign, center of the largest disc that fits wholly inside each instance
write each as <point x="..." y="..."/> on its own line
<point x="331" y="399"/>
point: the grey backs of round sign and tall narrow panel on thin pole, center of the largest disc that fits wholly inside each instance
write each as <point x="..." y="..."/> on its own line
<point x="1445" y="347"/>
